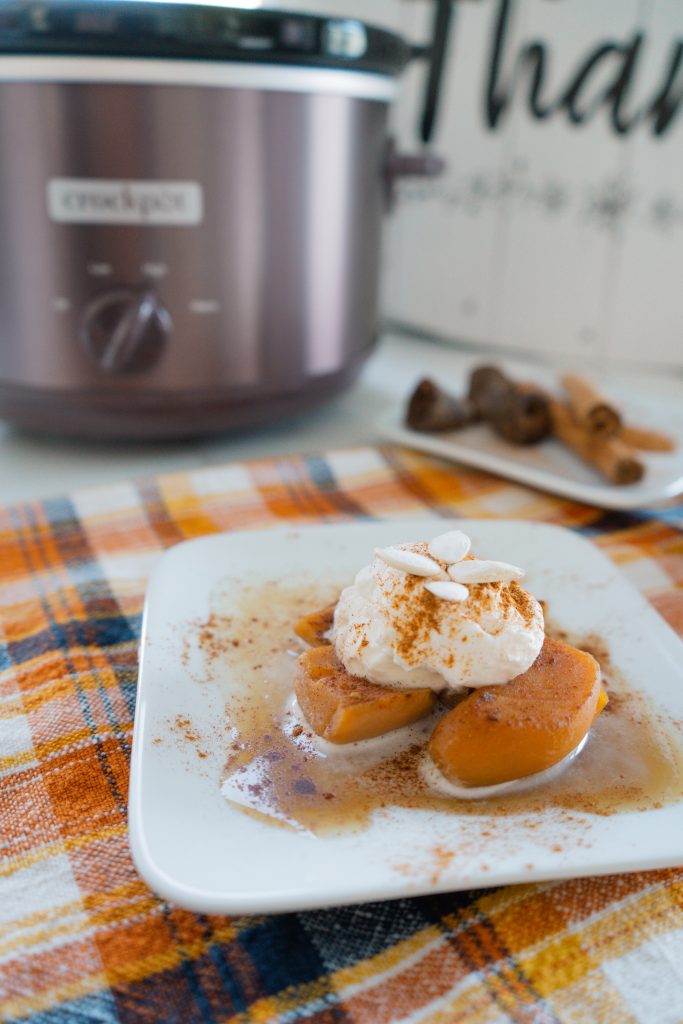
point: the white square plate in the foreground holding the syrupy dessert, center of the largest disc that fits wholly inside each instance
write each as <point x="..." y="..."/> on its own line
<point x="196" y="849"/>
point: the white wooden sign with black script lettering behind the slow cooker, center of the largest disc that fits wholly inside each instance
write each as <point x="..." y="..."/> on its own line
<point x="559" y="226"/>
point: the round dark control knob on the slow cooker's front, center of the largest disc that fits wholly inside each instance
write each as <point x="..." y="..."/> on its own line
<point x="125" y="330"/>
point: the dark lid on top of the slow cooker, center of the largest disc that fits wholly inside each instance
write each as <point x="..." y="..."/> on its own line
<point x="195" y="31"/>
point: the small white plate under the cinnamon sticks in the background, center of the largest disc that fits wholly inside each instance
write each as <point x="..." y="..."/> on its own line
<point x="552" y="467"/>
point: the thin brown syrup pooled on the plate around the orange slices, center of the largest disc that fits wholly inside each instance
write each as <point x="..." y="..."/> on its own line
<point x="275" y="767"/>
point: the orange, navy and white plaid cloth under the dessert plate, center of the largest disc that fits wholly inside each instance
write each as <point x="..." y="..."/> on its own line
<point x="82" y="938"/>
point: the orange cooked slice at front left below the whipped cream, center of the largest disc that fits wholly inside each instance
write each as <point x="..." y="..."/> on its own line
<point x="344" y="709"/>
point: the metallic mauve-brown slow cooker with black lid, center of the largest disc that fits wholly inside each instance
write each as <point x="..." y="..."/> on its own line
<point x="191" y="211"/>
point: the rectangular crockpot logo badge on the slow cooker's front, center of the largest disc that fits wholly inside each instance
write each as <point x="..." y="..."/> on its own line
<point x="88" y="201"/>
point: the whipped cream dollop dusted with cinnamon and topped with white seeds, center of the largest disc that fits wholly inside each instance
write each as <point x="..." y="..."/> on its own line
<point x="394" y="627"/>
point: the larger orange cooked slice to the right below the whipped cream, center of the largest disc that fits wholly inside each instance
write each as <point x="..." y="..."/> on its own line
<point x="499" y="734"/>
